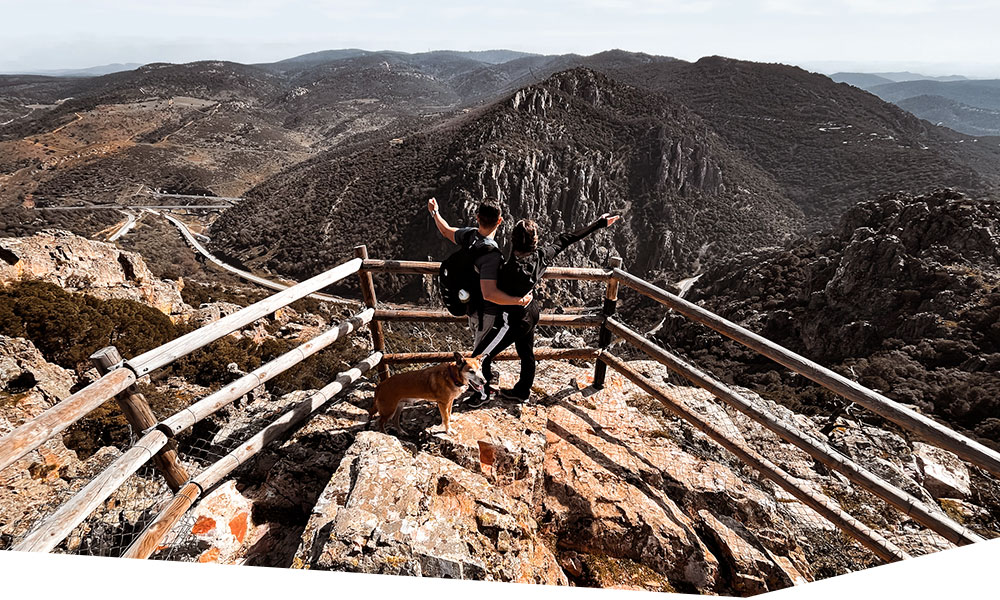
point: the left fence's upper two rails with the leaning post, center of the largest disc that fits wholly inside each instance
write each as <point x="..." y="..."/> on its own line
<point x="119" y="381"/>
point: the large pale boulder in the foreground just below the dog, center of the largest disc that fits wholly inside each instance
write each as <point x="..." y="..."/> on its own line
<point x="387" y="510"/>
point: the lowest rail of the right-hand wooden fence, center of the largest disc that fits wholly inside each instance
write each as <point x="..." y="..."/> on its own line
<point x="869" y="538"/>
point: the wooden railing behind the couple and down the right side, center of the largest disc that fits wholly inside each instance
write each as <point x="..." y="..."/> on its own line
<point x="930" y="516"/>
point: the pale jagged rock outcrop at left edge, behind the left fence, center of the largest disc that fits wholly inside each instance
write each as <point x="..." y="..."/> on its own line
<point x="75" y="263"/>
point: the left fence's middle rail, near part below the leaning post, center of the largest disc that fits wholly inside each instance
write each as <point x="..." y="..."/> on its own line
<point x="54" y="529"/>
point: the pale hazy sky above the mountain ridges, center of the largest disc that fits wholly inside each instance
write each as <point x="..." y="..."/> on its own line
<point x="933" y="36"/>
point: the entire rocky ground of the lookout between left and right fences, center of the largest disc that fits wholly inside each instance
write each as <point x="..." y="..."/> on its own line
<point x="581" y="487"/>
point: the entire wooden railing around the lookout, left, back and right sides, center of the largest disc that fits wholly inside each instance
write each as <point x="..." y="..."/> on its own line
<point x="121" y="377"/>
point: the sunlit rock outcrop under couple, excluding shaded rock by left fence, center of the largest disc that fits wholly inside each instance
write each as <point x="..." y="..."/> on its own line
<point x="579" y="487"/>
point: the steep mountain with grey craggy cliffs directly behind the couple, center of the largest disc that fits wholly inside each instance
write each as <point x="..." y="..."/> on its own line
<point x="561" y="152"/>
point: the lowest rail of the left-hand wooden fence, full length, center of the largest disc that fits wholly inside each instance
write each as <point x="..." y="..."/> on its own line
<point x="150" y="538"/>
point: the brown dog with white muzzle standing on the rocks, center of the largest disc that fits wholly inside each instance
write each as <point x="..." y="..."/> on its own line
<point x="441" y="384"/>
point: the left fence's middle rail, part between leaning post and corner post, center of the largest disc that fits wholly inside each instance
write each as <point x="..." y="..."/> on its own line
<point x="224" y="396"/>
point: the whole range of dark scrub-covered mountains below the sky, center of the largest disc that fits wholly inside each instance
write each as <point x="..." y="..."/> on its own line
<point x="704" y="158"/>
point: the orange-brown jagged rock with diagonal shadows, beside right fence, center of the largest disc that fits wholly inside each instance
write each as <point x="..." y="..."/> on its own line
<point x="618" y="484"/>
